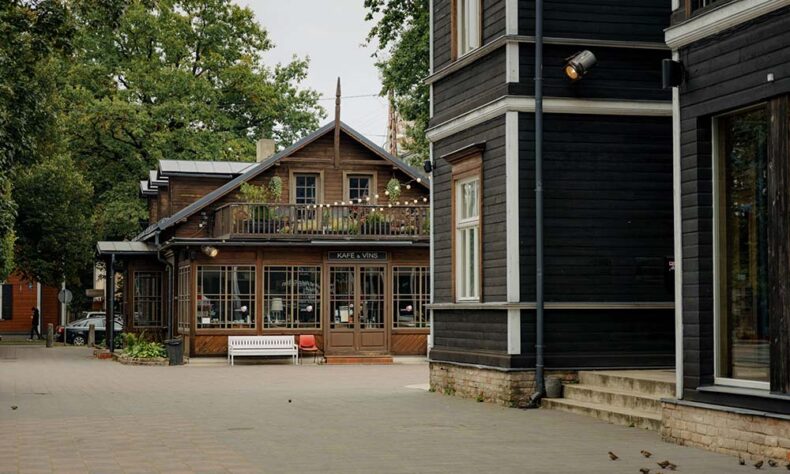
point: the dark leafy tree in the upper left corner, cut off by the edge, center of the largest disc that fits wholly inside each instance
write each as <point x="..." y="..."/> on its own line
<point x="31" y="34"/>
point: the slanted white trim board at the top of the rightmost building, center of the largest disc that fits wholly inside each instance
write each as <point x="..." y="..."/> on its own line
<point x="719" y="19"/>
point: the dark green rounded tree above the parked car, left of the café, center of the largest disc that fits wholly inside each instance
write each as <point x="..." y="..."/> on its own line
<point x="54" y="221"/>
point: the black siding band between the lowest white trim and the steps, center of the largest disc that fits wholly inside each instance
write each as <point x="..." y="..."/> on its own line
<point x="597" y="339"/>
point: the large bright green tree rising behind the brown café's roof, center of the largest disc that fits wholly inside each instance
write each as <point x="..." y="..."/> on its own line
<point x="173" y="79"/>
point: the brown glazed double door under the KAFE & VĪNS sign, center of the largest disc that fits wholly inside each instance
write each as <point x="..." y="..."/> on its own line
<point x="357" y="322"/>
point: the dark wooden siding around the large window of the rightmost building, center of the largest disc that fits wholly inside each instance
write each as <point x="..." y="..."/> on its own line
<point x="723" y="72"/>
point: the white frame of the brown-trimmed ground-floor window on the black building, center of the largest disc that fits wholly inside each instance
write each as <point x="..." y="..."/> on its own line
<point x="465" y="291"/>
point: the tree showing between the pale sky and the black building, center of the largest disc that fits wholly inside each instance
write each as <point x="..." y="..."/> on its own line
<point x="402" y="33"/>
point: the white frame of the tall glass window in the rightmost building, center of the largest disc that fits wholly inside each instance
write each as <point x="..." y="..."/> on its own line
<point x="717" y="166"/>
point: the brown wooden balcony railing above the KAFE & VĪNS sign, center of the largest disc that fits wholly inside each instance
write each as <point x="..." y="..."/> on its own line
<point x="313" y="221"/>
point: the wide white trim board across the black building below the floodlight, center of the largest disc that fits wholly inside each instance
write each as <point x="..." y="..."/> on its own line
<point x="551" y="105"/>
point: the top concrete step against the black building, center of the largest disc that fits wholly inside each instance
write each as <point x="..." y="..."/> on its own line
<point x="654" y="383"/>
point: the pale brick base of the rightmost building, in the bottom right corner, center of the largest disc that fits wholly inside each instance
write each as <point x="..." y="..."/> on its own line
<point x="750" y="436"/>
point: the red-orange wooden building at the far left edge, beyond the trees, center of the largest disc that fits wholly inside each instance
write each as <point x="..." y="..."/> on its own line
<point x="18" y="296"/>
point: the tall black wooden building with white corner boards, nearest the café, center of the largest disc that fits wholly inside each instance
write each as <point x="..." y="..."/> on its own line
<point x="607" y="187"/>
